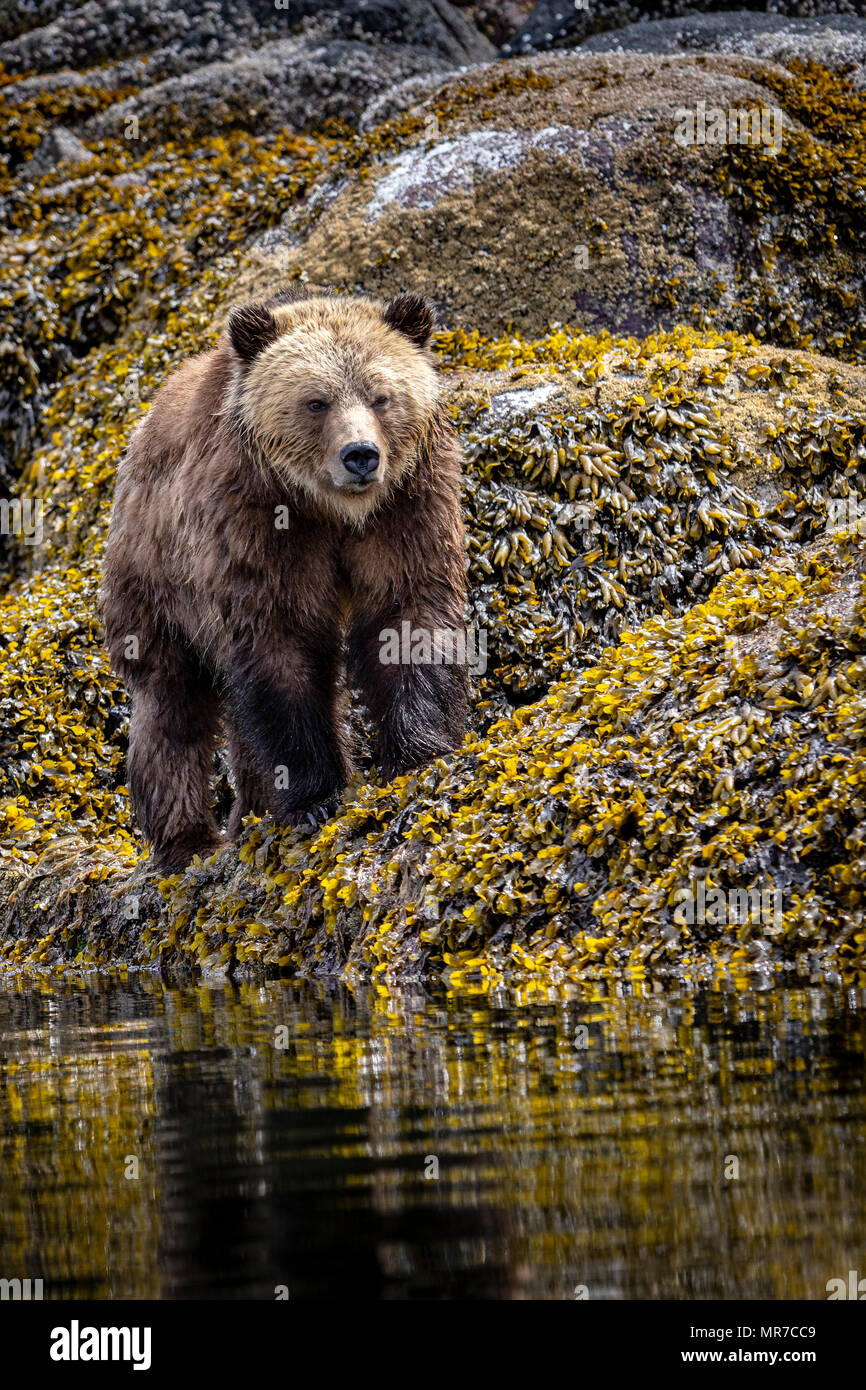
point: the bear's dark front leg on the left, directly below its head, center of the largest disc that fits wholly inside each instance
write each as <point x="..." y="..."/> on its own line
<point x="286" y="710"/>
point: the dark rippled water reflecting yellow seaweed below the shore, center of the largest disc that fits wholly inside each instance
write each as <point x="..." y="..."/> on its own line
<point x="565" y="1160"/>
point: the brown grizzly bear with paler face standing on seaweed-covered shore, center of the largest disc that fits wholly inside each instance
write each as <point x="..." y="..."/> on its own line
<point x="288" y="497"/>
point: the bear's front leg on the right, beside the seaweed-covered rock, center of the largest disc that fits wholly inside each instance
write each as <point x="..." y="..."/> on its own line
<point x="414" y="676"/>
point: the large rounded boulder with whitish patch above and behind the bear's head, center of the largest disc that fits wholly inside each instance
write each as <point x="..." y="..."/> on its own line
<point x="557" y="191"/>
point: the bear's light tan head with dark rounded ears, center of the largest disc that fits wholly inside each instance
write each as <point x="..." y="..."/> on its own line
<point x="336" y="394"/>
